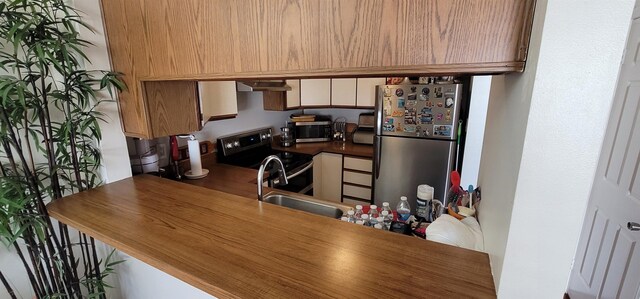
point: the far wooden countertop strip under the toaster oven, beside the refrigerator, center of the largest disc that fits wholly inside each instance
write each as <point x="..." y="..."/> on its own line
<point x="336" y="147"/>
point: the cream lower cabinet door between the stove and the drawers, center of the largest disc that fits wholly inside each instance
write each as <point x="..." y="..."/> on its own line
<point x="327" y="176"/>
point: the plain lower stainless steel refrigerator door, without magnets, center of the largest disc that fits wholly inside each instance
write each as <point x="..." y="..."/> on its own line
<point x="401" y="164"/>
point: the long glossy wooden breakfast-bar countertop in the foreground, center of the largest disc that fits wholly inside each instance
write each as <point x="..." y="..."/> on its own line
<point x="236" y="247"/>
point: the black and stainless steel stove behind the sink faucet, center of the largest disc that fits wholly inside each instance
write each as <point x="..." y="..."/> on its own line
<point x="248" y="149"/>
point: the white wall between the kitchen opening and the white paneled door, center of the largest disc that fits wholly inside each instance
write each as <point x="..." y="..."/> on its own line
<point x="555" y="115"/>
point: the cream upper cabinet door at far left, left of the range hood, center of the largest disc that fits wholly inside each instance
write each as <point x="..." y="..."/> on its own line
<point x="218" y="99"/>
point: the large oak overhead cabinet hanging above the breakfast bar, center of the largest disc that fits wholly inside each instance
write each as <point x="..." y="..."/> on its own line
<point x="219" y="39"/>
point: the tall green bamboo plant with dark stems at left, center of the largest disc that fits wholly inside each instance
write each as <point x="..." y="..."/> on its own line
<point x="49" y="134"/>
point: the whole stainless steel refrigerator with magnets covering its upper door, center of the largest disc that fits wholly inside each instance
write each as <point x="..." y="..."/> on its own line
<point x="415" y="140"/>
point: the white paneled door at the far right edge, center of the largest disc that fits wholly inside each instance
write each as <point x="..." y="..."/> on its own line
<point x="607" y="262"/>
